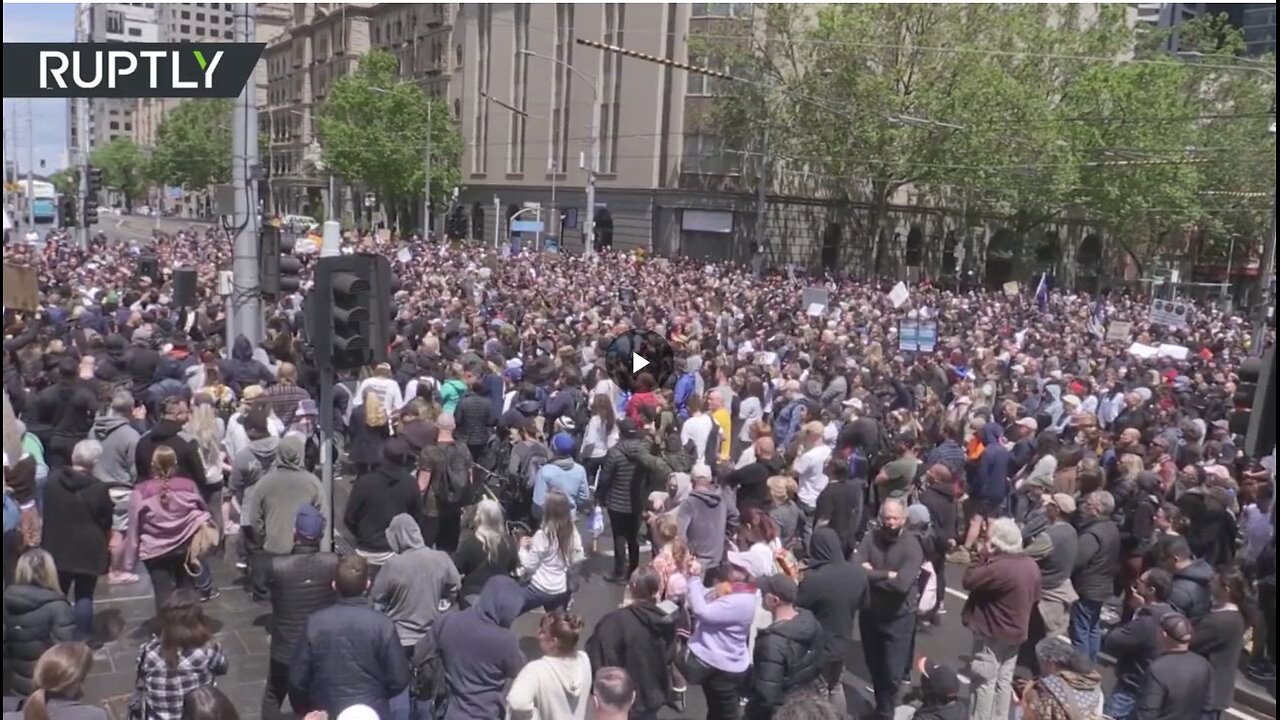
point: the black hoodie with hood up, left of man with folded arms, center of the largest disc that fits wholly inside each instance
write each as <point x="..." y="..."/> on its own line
<point x="835" y="591"/>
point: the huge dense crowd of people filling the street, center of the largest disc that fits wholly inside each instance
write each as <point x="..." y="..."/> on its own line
<point x="798" y="476"/>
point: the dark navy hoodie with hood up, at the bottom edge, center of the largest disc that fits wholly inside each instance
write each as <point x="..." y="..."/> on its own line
<point x="479" y="653"/>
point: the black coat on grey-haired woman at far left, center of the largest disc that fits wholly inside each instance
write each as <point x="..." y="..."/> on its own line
<point x="77" y="522"/>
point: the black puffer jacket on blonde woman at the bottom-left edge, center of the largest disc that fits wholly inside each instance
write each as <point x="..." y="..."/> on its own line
<point x="35" y="621"/>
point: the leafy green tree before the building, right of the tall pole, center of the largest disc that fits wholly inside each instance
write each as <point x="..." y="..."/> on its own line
<point x="373" y="131"/>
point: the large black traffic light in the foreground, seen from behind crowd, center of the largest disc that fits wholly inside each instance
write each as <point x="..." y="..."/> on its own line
<point x="350" y="312"/>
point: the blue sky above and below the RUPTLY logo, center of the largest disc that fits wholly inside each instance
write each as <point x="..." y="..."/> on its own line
<point x="54" y="22"/>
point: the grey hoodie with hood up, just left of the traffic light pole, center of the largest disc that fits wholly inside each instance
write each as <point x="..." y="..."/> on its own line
<point x="273" y="503"/>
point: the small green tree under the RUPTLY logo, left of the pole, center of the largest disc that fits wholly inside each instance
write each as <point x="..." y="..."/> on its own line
<point x="194" y="145"/>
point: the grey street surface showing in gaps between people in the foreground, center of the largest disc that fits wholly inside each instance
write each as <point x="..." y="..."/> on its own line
<point x="121" y="613"/>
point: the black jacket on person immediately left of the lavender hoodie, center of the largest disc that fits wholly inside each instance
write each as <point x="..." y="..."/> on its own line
<point x="642" y="640"/>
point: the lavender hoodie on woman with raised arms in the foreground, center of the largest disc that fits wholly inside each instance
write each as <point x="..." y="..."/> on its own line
<point x="723" y="627"/>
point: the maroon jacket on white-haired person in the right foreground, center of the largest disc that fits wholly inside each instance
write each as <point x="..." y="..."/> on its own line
<point x="1003" y="594"/>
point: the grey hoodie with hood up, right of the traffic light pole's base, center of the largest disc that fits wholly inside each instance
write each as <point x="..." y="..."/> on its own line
<point x="412" y="586"/>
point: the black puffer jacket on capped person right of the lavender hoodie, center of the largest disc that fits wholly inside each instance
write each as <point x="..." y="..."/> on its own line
<point x="787" y="660"/>
